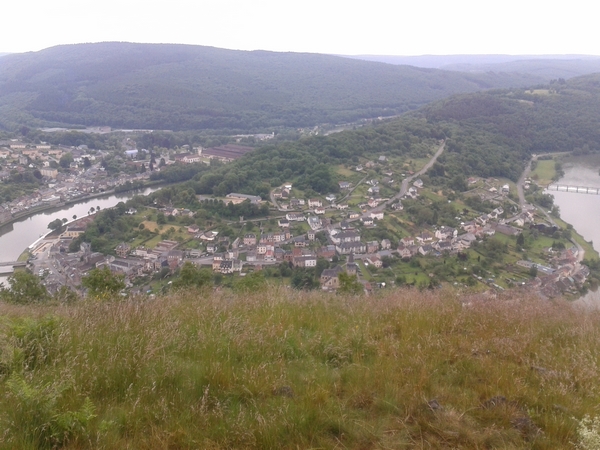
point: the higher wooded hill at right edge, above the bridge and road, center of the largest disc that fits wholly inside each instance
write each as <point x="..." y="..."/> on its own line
<point x="492" y="132"/>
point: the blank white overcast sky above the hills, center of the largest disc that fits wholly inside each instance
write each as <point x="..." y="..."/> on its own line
<point x="375" y="27"/>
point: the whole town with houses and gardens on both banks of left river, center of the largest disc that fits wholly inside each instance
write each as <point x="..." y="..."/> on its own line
<point x="370" y="229"/>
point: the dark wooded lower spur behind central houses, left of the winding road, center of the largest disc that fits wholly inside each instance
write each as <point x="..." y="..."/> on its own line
<point x="309" y="162"/>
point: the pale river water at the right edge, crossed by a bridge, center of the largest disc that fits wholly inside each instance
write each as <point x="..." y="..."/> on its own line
<point x="582" y="210"/>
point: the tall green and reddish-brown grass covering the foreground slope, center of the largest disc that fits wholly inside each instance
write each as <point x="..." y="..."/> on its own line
<point x="281" y="369"/>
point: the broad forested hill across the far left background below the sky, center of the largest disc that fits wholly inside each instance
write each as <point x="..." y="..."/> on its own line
<point x="180" y="87"/>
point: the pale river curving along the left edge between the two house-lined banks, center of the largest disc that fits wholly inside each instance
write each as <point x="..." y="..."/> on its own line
<point x="17" y="236"/>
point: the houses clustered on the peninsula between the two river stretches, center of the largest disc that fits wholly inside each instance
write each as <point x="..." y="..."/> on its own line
<point x="307" y="233"/>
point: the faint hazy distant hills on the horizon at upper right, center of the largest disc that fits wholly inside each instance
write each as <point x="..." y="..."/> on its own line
<point x="547" y="67"/>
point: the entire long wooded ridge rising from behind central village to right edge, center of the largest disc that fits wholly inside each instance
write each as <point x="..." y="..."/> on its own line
<point x="487" y="134"/>
